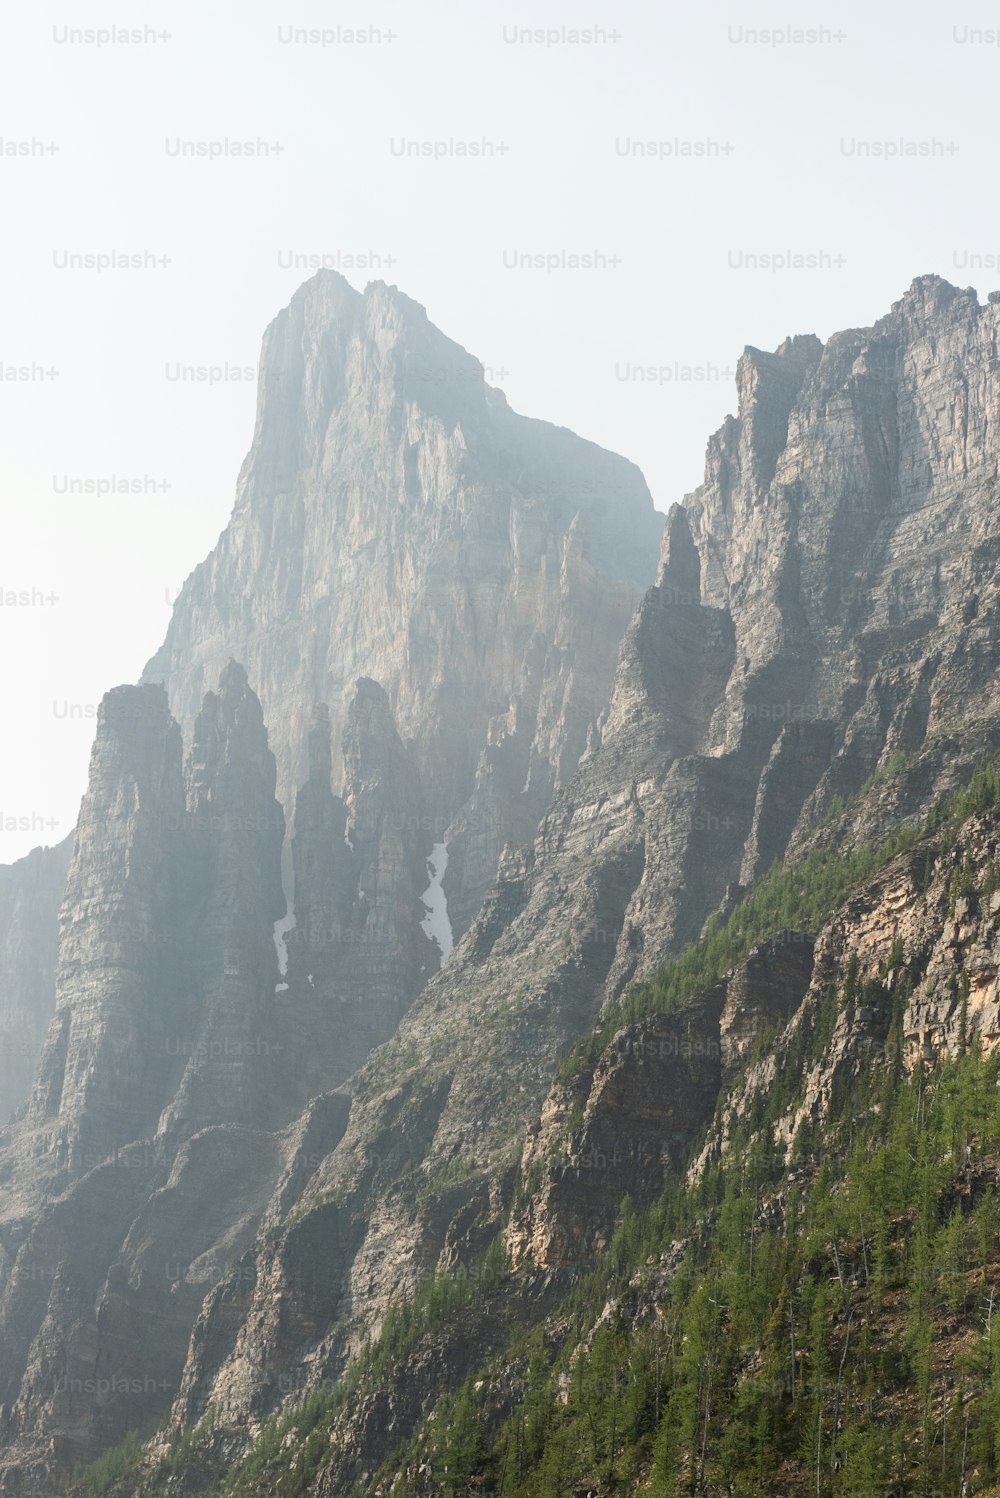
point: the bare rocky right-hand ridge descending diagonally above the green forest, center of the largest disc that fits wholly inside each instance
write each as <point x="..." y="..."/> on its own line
<point x="826" y="609"/>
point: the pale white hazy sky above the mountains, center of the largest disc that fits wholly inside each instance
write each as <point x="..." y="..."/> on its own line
<point x="671" y="233"/>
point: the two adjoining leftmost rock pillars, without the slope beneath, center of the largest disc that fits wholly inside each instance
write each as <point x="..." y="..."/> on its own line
<point x="167" y="962"/>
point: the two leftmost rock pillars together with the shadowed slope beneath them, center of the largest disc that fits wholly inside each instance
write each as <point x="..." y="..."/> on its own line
<point x="143" y="1160"/>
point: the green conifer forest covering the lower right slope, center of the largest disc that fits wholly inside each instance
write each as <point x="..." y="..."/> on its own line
<point x="845" y="1343"/>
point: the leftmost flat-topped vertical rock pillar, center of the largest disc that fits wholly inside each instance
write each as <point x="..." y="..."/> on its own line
<point x="104" y="1069"/>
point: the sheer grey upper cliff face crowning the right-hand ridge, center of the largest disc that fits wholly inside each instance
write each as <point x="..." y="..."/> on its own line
<point x="848" y="524"/>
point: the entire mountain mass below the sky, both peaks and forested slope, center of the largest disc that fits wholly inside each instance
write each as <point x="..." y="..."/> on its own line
<point x="368" y="1235"/>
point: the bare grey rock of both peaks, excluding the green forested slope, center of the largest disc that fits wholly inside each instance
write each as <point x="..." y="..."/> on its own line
<point x="439" y="606"/>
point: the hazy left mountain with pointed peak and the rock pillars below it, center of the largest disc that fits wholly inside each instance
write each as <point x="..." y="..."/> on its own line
<point x="372" y="685"/>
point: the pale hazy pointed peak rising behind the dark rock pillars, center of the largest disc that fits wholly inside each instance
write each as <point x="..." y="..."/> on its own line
<point x="397" y="521"/>
